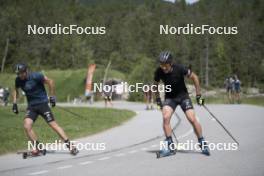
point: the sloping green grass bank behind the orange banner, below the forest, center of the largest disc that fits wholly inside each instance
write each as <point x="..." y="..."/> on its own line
<point x="69" y="83"/>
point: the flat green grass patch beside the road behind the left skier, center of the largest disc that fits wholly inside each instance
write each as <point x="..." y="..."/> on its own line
<point x="94" y="120"/>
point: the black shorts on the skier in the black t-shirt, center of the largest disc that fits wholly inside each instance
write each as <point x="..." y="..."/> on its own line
<point x="185" y="102"/>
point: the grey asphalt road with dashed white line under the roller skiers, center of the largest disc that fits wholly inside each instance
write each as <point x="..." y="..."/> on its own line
<point x="130" y="148"/>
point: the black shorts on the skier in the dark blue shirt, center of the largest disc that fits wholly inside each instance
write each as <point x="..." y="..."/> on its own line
<point x="41" y="109"/>
